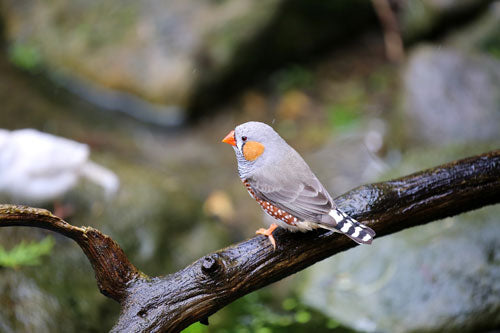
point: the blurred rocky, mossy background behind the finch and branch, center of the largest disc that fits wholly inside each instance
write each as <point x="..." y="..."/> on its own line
<point x="364" y="90"/>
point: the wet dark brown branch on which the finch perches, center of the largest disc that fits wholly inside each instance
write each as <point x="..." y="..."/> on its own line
<point x="173" y="302"/>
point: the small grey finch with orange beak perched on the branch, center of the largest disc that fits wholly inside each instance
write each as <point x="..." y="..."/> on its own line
<point x="279" y="179"/>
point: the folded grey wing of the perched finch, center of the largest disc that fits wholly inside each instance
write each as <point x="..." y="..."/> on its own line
<point x="299" y="193"/>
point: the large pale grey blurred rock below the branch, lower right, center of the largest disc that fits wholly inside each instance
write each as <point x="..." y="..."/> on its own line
<point x="444" y="276"/>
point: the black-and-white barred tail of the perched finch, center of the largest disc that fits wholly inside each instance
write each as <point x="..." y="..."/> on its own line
<point x="356" y="231"/>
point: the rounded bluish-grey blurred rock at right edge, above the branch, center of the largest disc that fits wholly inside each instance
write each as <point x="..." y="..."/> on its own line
<point x="450" y="96"/>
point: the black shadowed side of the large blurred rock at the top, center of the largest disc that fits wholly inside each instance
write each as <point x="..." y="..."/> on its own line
<point x="297" y="31"/>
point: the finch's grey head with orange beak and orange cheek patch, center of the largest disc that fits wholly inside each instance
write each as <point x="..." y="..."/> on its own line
<point x="253" y="142"/>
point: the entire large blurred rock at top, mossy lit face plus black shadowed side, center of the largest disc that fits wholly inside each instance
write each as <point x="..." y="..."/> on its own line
<point x="171" y="53"/>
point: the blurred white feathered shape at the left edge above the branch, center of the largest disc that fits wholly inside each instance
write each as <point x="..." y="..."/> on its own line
<point x="37" y="167"/>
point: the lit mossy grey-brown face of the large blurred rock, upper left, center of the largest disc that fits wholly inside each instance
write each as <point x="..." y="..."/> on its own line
<point x="148" y="48"/>
